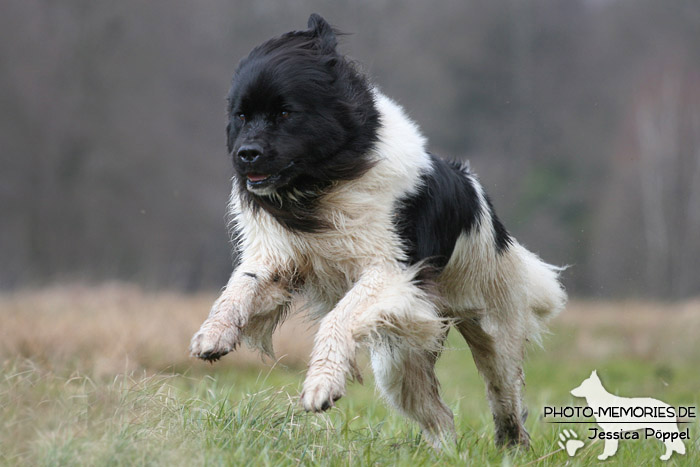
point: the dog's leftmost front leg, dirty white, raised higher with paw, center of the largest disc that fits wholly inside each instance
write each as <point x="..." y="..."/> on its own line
<point x="250" y="291"/>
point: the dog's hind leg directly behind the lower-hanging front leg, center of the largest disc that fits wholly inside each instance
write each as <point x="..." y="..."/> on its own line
<point x="406" y="378"/>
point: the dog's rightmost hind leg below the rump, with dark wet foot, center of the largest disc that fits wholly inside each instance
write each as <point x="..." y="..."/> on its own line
<point x="498" y="355"/>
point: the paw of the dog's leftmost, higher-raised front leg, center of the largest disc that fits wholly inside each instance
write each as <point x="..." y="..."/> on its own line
<point x="215" y="338"/>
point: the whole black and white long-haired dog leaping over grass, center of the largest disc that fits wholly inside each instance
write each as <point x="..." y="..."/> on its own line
<point x="338" y="204"/>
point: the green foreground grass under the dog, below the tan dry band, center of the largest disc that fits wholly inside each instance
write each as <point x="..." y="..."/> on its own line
<point x="250" y="416"/>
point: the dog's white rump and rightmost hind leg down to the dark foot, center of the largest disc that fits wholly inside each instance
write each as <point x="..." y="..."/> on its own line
<point x="498" y="312"/>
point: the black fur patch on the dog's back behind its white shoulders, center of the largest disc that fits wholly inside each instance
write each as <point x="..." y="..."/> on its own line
<point x="430" y="221"/>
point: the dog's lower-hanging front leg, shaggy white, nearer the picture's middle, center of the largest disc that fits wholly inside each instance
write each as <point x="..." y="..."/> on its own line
<point x="381" y="301"/>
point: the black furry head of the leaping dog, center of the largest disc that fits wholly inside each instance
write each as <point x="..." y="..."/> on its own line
<point x="300" y="117"/>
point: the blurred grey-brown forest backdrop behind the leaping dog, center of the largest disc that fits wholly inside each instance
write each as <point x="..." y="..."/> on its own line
<point x="581" y="117"/>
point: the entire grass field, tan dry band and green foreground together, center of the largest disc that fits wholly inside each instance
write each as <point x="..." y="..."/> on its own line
<point x="100" y="376"/>
